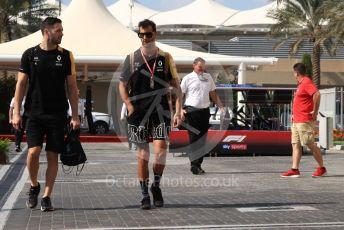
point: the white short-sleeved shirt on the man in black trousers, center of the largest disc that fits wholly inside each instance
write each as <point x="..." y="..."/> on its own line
<point x="196" y="90"/>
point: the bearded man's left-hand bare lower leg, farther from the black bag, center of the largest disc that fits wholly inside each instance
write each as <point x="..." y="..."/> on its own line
<point x="32" y="162"/>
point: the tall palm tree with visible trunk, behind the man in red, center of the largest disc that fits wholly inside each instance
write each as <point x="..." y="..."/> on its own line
<point x="301" y="21"/>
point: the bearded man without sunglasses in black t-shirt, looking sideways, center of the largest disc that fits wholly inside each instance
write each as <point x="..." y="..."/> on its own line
<point x="46" y="67"/>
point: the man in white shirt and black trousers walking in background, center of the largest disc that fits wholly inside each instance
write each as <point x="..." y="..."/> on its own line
<point x="197" y="87"/>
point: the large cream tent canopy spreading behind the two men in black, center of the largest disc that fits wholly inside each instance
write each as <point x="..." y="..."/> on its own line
<point x="96" y="38"/>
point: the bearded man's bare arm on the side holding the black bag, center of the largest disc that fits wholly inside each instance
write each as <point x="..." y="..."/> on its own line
<point x="73" y="99"/>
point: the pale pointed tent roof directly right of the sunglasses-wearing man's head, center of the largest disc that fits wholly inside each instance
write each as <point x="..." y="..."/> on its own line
<point x="199" y="12"/>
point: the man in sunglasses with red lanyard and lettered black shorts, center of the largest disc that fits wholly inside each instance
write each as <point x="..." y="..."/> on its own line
<point x="145" y="83"/>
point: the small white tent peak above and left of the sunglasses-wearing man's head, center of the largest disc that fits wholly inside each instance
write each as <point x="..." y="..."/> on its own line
<point x="130" y="12"/>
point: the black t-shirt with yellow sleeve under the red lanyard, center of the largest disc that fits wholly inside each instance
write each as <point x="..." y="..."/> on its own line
<point x="137" y="76"/>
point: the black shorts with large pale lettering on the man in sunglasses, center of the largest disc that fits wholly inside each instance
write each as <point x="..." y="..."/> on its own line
<point x="143" y="126"/>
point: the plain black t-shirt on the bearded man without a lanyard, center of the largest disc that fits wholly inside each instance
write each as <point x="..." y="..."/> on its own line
<point x="47" y="72"/>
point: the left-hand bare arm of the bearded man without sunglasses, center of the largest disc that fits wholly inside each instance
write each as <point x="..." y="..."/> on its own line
<point x="18" y="98"/>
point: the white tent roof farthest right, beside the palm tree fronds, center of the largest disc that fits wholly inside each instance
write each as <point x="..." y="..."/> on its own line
<point x="256" y="16"/>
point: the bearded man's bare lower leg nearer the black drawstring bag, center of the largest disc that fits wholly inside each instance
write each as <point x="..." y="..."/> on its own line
<point x="51" y="173"/>
